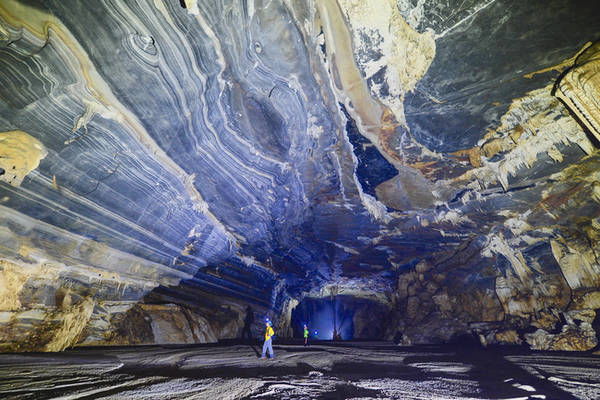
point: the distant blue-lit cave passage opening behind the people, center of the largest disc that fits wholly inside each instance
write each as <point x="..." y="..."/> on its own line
<point x="352" y="317"/>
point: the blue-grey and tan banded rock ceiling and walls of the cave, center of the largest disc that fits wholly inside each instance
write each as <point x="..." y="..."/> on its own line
<point x="431" y="168"/>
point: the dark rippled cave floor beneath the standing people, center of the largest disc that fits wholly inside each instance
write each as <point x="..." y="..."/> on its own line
<point x="365" y="370"/>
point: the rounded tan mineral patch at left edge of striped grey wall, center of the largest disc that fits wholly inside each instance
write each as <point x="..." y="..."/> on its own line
<point x="20" y="153"/>
